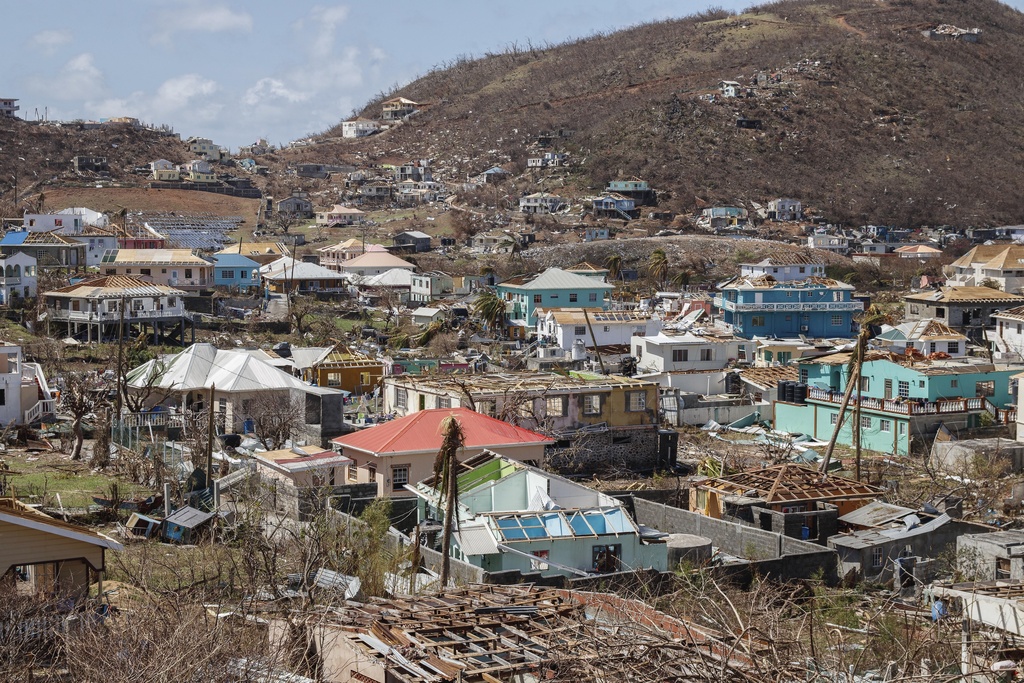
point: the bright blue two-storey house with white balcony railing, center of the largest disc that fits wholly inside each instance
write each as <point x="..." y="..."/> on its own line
<point x="763" y="307"/>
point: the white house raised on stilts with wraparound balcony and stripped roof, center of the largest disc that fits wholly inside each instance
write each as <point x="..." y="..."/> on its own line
<point x="94" y="310"/>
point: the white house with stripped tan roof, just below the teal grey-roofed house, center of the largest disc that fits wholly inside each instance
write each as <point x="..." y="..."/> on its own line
<point x="563" y="327"/>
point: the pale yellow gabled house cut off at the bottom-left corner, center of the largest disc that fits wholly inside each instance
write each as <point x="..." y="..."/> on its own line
<point x="52" y="557"/>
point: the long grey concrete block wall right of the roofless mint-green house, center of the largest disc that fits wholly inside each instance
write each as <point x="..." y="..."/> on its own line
<point x="772" y="554"/>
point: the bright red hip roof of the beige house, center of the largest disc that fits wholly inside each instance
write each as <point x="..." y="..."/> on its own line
<point x="422" y="432"/>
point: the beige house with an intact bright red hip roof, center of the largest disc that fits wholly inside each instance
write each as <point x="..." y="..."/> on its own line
<point x="403" y="451"/>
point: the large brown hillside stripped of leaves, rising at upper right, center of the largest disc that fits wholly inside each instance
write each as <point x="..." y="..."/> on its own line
<point x="871" y="121"/>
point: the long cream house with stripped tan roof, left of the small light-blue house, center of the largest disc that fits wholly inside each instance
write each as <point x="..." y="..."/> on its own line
<point x="181" y="269"/>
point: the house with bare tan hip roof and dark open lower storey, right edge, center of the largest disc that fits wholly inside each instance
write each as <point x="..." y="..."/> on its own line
<point x="964" y="309"/>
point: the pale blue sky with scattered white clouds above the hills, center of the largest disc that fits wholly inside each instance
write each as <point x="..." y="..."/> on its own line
<point x="236" y="71"/>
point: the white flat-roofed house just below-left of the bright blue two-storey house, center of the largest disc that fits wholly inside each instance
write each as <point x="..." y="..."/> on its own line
<point x="665" y="354"/>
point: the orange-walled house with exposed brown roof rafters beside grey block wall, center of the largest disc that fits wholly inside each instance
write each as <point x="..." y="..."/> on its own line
<point x="792" y="500"/>
